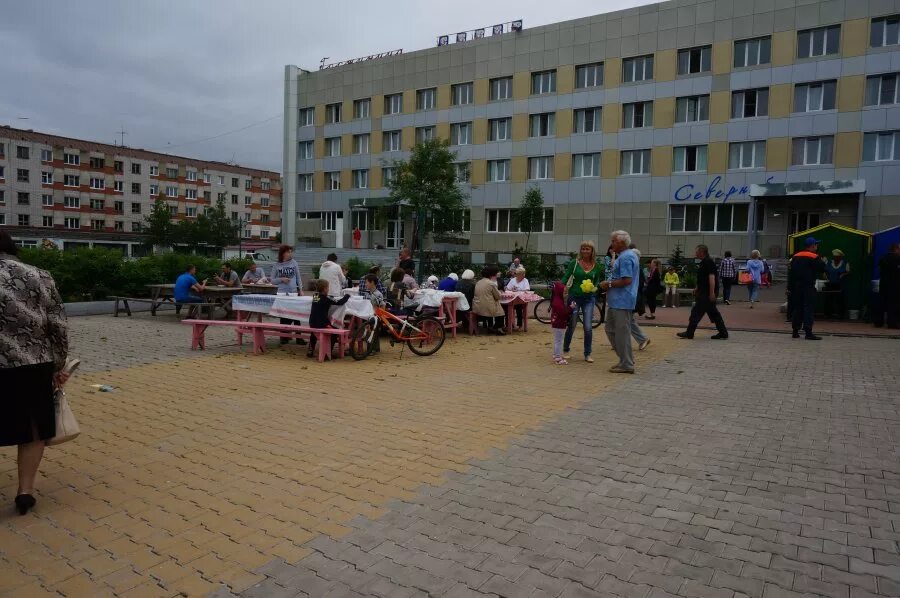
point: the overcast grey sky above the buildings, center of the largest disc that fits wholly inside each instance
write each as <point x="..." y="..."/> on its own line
<point x="176" y="72"/>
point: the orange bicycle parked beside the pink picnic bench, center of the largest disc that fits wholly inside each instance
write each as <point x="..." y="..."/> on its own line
<point x="423" y="335"/>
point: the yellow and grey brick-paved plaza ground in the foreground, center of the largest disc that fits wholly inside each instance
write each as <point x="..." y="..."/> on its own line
<point x="762" y="466"/>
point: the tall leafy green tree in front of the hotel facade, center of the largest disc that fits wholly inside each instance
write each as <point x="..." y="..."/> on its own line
<point x="425" y="188"/>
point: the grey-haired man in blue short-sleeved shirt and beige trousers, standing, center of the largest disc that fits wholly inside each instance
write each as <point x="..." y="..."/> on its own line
<point x="621" y="295"/>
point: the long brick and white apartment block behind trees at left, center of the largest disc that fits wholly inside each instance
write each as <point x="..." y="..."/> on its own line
<point x="80" y="193"/>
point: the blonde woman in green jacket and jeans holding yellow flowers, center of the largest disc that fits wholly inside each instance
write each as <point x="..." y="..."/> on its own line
<point x="583" y="268"/>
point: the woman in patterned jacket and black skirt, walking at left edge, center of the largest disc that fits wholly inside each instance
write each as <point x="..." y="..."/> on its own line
<point x="33" y="350"/>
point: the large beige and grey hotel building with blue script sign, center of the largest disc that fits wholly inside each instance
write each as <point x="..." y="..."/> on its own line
<point x="721" y="122"/>
